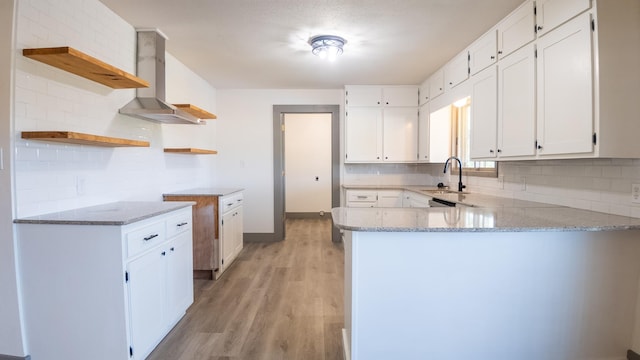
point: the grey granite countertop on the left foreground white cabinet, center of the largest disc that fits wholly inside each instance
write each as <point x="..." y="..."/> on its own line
<point x="118" y="213"/>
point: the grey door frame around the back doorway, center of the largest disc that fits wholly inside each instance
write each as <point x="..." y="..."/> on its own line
<point x="278" y="162"/>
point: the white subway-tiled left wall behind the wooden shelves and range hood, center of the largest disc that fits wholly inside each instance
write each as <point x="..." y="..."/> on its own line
<point x="52" y="177"/>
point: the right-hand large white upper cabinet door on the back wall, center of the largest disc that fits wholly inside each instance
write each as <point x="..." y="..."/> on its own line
<point x="400" y="134"/>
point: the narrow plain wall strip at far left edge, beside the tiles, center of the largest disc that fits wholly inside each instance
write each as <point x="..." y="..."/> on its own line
<point x="11" y="338"/>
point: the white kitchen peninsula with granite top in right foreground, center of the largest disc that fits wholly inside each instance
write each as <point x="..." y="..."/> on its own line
<point x="514" y="280"/>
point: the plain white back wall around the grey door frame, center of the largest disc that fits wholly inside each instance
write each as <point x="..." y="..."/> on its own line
<point x="245" y="144"/>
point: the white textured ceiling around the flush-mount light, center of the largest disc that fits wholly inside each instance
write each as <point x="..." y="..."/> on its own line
<point x="254" y="44"/>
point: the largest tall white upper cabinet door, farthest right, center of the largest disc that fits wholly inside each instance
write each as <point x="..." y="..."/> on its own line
<point x="565" y="89"/>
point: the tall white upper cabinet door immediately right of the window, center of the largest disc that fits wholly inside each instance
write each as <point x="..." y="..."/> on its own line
<point x="484" y="114"/>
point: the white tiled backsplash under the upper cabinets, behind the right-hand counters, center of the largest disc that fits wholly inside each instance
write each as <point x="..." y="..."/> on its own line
<point x="602" y="185"/>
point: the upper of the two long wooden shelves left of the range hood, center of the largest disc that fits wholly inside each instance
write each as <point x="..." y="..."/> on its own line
<point x="81" y="64"/>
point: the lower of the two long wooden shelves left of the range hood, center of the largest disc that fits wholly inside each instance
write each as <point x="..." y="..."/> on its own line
<point x="82" y="139"/>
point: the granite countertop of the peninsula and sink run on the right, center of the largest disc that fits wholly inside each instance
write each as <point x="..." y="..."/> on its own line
<point x="484" y="213"/>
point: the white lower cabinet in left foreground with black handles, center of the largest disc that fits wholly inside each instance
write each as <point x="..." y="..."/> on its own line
<point x="104" y="292"/>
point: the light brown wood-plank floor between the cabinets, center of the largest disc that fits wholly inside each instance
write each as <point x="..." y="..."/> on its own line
<point x="277" y="301"/>
